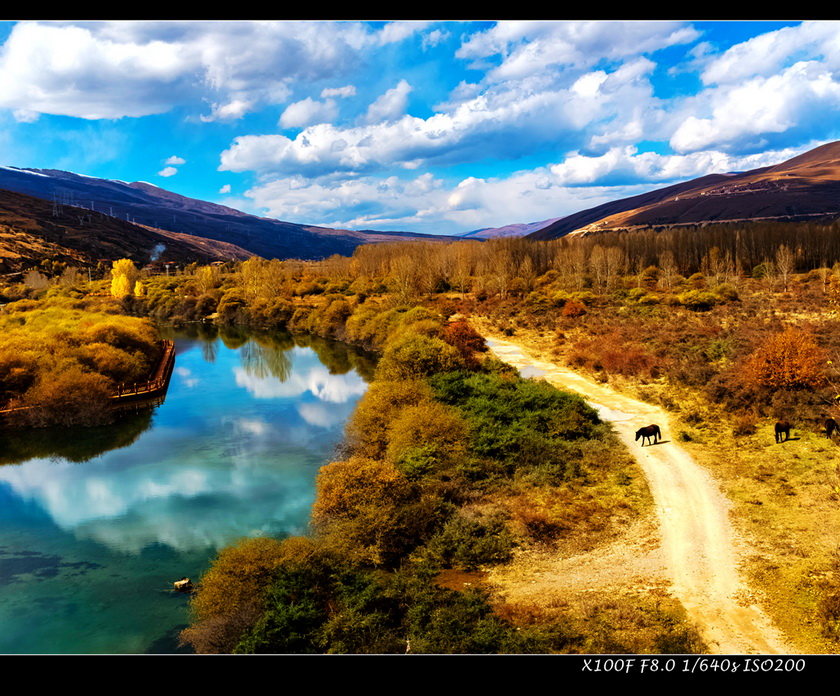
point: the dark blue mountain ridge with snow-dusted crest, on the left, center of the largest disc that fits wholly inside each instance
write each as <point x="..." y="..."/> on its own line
<point x="151" y="206"/>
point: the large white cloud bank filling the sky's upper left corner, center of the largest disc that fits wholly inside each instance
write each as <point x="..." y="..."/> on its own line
<point x="108" y="70"/>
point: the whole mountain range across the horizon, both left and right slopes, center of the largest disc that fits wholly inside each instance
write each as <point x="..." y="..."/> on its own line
<point x="82" y="219"/>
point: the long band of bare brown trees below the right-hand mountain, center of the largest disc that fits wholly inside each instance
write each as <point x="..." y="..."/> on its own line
<point x="510" y="266"/>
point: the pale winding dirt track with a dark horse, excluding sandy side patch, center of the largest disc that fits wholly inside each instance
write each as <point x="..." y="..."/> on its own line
<point x="698" y="541"/>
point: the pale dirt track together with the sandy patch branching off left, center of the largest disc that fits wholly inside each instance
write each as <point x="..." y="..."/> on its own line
<point x="690" y="547"/>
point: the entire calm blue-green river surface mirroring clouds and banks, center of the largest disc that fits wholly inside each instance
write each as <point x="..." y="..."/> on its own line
<point x="96" y="524"/>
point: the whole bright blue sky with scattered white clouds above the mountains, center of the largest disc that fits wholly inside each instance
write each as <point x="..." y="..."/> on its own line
<point x="439" y="127"/>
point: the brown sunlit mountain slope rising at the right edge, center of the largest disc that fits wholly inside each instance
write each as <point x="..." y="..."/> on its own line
<point x="807" y="186"/>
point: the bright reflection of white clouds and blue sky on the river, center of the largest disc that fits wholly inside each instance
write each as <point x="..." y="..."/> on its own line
<point x="231" y="452"/>
